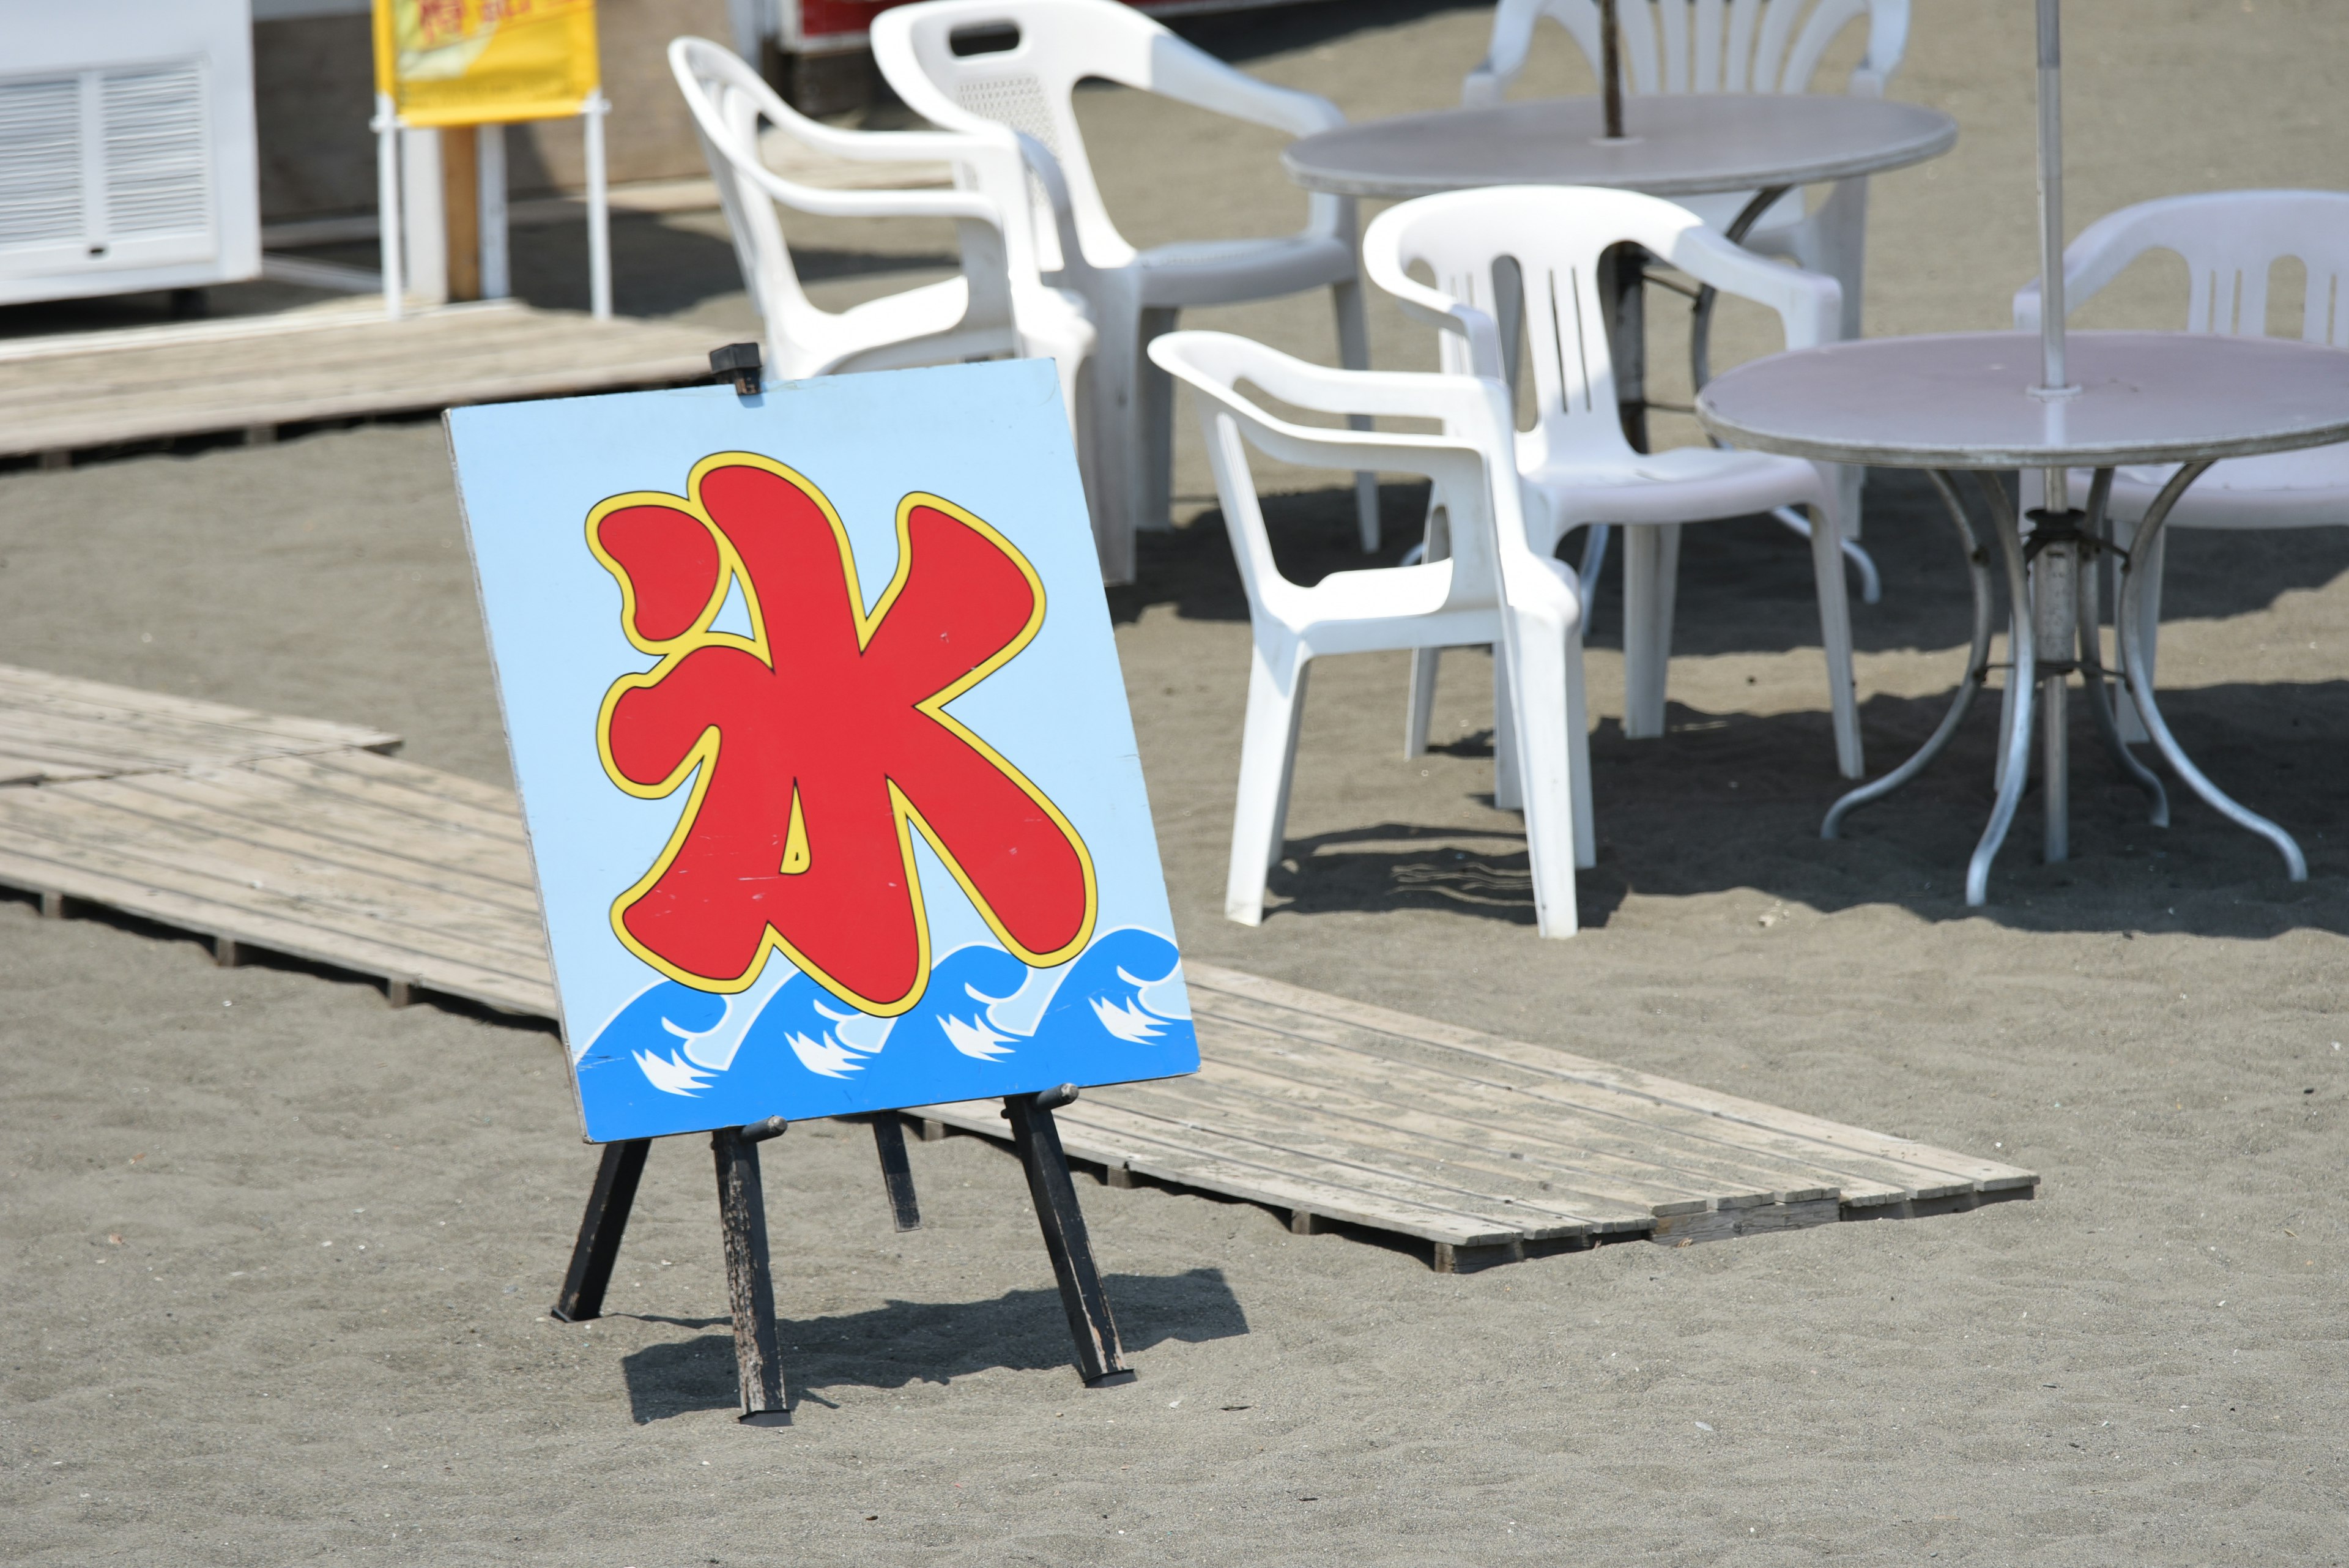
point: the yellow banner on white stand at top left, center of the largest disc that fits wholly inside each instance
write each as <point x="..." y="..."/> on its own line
<point x="480" y="62"/>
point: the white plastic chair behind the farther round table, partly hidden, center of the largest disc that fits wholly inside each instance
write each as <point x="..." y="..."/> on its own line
<point x="1730" y="46"/>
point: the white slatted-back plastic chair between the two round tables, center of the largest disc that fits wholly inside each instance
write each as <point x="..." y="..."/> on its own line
<point x="1577" y="464"/>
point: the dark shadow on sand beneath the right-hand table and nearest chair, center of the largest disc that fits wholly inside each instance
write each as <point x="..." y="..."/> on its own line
<point x="1735" y="803"/>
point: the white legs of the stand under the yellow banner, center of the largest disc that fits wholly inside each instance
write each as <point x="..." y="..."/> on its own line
<point x="410" y="210"/>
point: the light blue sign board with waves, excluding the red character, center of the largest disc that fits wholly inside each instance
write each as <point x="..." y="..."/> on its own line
<point x="652" y="1057"/>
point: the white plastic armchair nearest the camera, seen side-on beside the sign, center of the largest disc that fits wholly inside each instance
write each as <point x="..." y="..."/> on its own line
<point x="1490" y="591"/>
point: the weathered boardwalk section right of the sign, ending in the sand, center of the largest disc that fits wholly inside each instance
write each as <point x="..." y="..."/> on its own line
<point x="1481" y="1146"/>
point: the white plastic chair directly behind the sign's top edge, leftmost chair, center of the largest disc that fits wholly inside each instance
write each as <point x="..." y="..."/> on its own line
<point x="997" y="309"/>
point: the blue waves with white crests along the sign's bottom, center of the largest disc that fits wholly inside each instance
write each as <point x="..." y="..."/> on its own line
<point x="1115" y="1014"/>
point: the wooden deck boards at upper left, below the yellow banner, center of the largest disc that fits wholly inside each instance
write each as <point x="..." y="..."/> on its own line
<point x="344" y="361"/>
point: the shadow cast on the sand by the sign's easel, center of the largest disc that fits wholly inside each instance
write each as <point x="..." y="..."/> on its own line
<point x="929" y="1341"/>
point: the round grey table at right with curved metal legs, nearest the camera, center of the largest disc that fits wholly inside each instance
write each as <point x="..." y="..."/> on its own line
<point x="1965" y="401"/>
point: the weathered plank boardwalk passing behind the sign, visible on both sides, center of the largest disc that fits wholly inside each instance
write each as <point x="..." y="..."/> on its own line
<point x="297" y="838"/>
